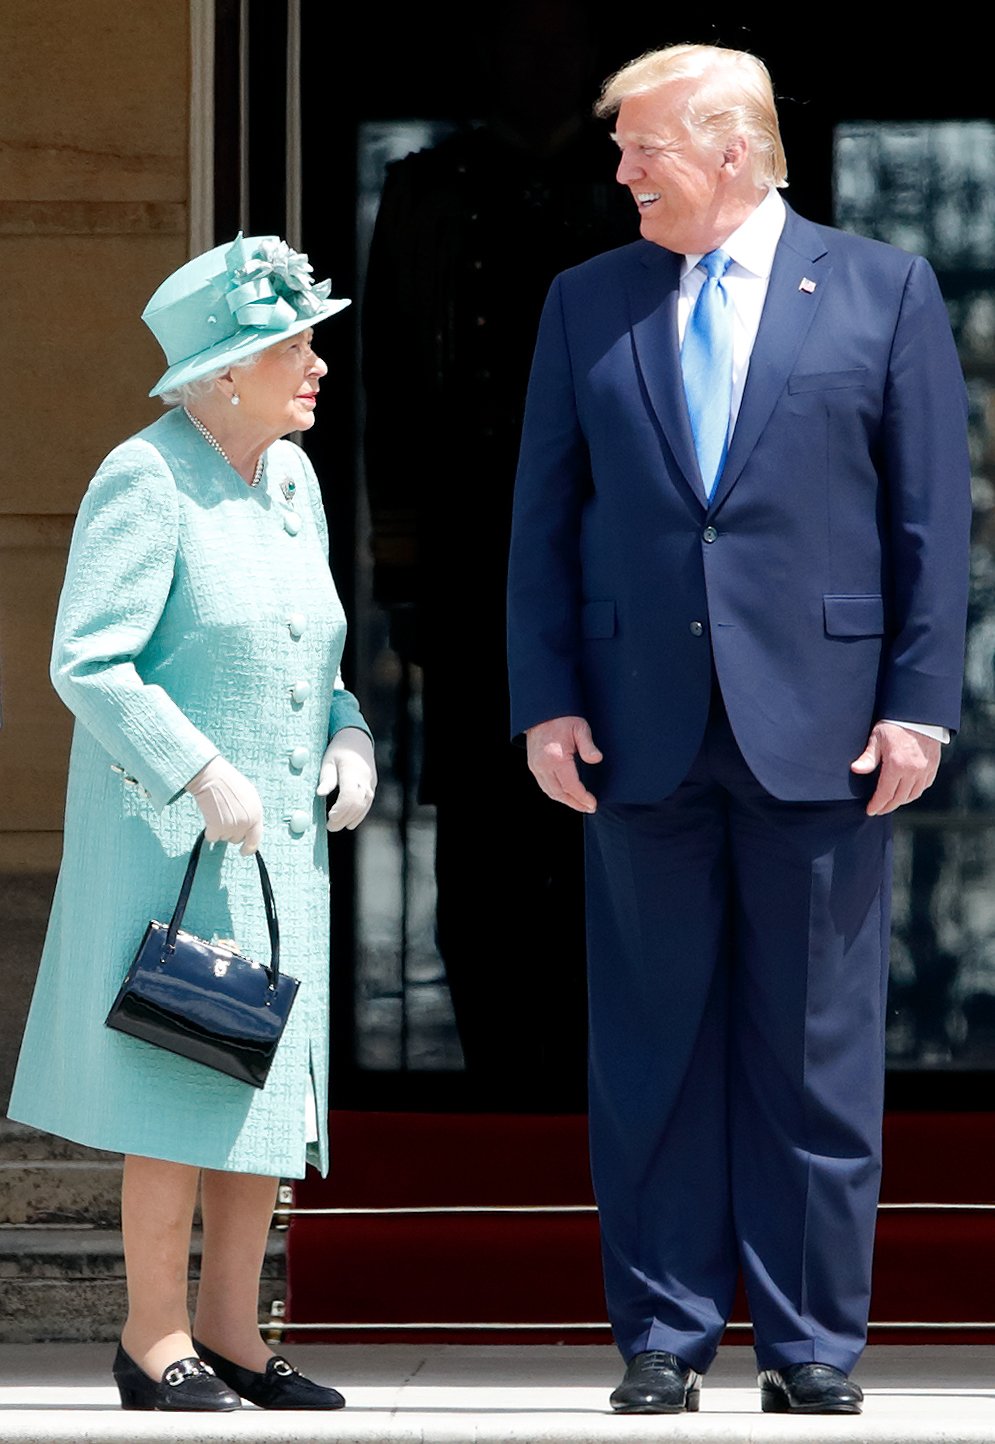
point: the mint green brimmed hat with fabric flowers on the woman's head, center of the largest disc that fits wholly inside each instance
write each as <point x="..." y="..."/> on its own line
<point x="232" y="303"/>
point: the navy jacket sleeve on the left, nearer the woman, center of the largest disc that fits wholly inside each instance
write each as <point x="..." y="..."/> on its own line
<point x="552" y="484"/>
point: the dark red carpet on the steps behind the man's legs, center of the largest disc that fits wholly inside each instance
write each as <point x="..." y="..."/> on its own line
<point x="545" y="1269"/>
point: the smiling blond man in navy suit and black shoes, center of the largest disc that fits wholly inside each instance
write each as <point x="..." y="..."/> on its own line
<point x="739" y="678"/>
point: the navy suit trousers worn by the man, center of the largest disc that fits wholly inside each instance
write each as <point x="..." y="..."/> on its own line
<point x="739" y="961"/>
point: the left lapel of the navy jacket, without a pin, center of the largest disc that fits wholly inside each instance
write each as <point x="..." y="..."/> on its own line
<point x="653" y="287"/>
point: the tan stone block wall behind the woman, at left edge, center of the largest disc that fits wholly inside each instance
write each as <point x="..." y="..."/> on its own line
<point x="95" y="187"/>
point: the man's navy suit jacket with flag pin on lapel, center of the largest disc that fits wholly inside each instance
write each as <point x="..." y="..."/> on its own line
<point x="827" y="581"/>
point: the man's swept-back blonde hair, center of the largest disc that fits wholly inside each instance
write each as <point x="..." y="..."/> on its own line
<point x="734" y="97"/>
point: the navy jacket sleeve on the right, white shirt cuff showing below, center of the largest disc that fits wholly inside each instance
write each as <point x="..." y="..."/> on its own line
<point x="929" y="495"/>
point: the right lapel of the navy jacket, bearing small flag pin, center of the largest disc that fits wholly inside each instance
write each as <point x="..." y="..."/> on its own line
<point x="789" y="313"/>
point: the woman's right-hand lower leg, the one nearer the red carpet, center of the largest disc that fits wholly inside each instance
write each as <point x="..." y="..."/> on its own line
<point x="238" y="1212"/>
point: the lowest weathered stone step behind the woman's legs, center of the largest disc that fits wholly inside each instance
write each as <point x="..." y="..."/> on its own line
<point x="67" y="1286"/>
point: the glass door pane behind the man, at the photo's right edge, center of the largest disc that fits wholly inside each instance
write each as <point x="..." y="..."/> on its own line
<point x="929" y="187"/>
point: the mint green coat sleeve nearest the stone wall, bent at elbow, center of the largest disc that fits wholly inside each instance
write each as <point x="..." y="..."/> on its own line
<point x="118" y="580"/>
